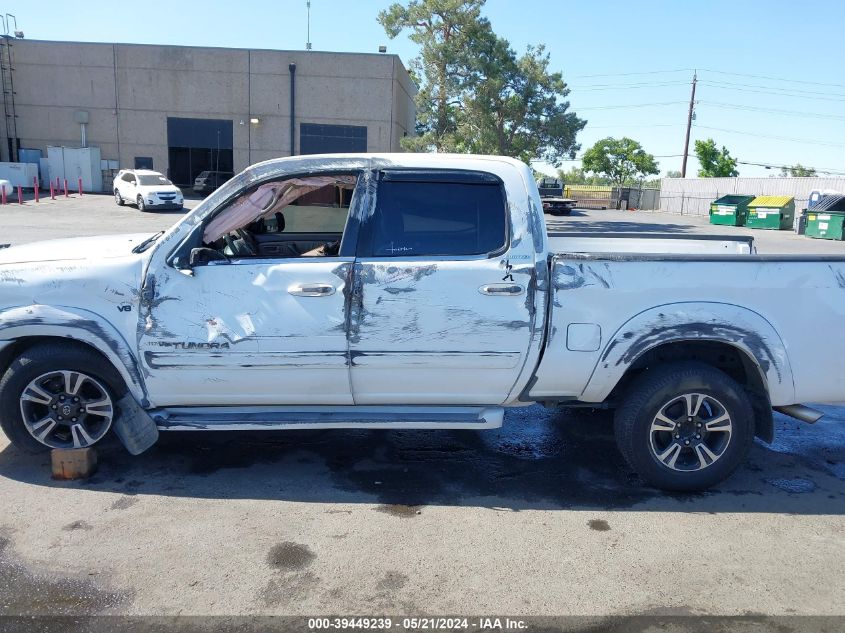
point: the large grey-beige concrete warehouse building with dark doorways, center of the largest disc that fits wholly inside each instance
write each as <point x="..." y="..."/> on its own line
<point x="182" y="110"/>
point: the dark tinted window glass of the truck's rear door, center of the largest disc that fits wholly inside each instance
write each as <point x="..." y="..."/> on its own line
<point x="437" y="213"/>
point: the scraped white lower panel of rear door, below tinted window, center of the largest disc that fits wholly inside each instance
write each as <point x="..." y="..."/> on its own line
<point x="421" y="332"/>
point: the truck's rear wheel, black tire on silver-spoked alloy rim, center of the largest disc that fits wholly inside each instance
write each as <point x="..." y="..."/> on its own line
<point x="698" y="451"/>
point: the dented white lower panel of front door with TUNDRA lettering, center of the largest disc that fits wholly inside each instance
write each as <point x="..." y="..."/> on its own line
<point x="244" y="333"/>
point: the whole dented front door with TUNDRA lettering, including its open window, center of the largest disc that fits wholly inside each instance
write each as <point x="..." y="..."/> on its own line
<point x="263" y="320"/>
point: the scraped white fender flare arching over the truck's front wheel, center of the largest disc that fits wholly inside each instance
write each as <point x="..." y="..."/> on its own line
<point x="80" y="325"/>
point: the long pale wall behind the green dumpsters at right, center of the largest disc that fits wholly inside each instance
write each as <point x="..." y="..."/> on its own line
<point x="692" y="196"/>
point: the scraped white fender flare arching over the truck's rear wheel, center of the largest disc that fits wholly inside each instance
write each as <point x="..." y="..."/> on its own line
<point x="735" y="325"/>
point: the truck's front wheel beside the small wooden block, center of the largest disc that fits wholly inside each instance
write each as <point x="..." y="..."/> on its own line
<point x="54" y="364"/>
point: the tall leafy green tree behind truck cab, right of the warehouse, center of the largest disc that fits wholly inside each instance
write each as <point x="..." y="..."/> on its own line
<point x="476" y="94"/>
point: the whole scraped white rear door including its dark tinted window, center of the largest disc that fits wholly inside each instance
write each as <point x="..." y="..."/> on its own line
<point x="437" y="315"/>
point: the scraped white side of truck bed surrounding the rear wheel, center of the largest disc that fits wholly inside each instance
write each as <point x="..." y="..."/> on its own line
<point x="783" y="311"/>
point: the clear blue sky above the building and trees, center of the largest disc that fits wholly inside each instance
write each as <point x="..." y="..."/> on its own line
<point x="795" y="48"/>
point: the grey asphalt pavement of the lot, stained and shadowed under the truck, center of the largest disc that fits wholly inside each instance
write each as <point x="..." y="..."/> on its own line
<point x="540" y="517"/>
